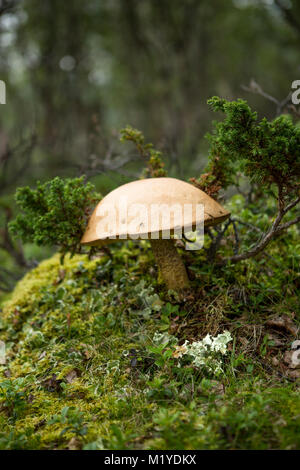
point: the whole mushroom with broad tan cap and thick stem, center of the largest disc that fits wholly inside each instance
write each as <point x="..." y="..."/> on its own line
<point x="151" y="209"/>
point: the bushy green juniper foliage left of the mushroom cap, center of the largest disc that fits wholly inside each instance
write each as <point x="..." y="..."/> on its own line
<point x="55" y="213"/>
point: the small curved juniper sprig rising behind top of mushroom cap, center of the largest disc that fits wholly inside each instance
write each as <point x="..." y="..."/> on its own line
<point x="155" y="165"/>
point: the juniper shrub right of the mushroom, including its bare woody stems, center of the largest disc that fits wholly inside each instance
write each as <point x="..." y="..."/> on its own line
<point x="264" y="153"/>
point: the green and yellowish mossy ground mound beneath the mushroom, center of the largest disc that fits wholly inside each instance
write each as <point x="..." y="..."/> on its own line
<point x="81" y="370"/>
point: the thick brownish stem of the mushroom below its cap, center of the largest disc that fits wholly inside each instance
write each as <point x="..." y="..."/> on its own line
<point x="170" y="264"/>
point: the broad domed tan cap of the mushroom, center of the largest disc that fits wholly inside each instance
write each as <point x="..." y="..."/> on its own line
<point x="149" y="192"/>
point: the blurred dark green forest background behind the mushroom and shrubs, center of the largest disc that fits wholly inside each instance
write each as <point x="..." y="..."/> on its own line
<point x="77" y="72"/>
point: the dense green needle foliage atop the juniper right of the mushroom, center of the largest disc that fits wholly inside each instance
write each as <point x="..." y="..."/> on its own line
<point x="268" y="152"/>
